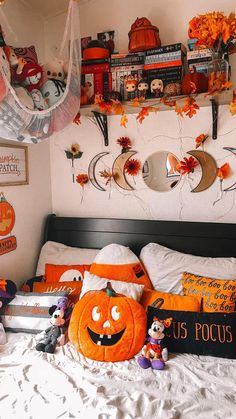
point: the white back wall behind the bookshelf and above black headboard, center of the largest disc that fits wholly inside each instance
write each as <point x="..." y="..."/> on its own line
<point x="163" y="131"/>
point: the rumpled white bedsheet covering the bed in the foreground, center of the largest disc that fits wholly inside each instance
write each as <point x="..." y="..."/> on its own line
<point x="35" y="385"/>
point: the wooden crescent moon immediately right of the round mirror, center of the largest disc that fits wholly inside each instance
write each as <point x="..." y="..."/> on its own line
<point x="209" y="169"/>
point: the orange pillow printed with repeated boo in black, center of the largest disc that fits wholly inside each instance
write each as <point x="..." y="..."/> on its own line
<point x="217" y="294"/>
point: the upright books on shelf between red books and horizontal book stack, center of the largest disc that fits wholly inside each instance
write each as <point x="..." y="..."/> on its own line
<point x="127" y="68"/>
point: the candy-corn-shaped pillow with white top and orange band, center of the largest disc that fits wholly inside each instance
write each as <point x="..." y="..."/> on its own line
<point x="119" y="263"/>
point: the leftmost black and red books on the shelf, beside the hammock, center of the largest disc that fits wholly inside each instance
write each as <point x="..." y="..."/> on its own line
<point x="96" y="77"/>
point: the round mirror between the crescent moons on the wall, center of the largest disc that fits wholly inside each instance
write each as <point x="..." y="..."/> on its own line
<point x="160" y="171"/>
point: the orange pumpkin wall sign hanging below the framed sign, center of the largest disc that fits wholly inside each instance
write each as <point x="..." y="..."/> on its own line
<point x="7" y="222"/>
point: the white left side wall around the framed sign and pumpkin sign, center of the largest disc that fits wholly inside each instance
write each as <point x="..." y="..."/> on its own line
<point x="31" y="202"/>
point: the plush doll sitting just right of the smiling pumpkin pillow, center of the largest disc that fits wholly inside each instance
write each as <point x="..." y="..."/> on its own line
<point x="154" y="353"/>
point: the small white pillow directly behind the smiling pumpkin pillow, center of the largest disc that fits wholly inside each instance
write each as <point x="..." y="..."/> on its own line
<point x="94" y="282"/>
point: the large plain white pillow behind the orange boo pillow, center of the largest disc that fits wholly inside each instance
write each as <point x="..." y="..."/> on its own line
<point x="165" y="266"/>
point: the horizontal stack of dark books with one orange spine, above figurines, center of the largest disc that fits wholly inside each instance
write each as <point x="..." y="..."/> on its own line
<point x="165" y="63"/>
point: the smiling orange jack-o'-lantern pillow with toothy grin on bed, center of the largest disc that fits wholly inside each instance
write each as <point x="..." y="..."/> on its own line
<point x="106" y="326"/>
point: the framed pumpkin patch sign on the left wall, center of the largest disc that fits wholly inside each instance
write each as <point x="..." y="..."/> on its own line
<point x="13" y="165"/>
